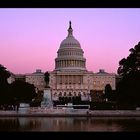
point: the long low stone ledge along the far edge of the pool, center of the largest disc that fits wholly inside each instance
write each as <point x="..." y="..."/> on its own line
<point x="44" y="112"/>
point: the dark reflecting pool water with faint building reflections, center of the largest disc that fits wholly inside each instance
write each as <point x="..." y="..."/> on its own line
<point x="69" y="124"/>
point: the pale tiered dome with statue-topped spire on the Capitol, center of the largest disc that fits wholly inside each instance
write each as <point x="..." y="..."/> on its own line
<point x="70" y="54"/>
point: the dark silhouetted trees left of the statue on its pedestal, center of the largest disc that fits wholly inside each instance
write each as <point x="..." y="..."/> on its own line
<point x="13" y="94"/>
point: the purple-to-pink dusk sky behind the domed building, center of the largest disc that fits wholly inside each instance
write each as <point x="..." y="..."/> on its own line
<point x="30" y="38"/>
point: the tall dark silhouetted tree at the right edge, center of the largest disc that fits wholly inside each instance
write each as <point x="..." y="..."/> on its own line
<point x="129" y="69"/>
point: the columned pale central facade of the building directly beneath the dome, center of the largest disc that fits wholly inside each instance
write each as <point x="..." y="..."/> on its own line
<point x="70" y="84"/>
